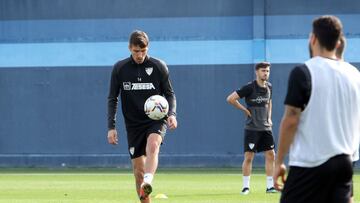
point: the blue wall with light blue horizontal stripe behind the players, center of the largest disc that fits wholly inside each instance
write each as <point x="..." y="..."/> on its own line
<point x="56" y="58"/>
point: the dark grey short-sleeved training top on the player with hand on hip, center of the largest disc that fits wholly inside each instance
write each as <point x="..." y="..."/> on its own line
<point x="257" y="101"/>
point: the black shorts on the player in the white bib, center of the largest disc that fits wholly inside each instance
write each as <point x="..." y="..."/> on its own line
<point x="330" y="182"/>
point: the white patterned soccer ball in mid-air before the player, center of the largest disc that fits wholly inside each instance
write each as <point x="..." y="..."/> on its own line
<point x="156" y="107"/>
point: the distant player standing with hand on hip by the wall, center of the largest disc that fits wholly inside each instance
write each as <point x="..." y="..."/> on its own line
<point x="258" y="130"/>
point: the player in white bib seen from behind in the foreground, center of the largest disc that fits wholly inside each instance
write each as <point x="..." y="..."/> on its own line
<point x="321" y="122"/>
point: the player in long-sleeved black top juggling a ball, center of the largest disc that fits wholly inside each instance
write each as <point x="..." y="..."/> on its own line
<point x="137" y="78"/>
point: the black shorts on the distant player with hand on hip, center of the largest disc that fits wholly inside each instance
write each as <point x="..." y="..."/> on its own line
<point x="258" y="141"/>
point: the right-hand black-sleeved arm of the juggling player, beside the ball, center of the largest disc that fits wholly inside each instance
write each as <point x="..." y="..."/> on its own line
<point x="169" y="94"/>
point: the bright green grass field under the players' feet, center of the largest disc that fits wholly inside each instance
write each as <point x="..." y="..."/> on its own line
<point x="108" y="186"/>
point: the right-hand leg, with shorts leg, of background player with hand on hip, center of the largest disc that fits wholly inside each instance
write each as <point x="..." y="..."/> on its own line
<point x="266" y="144"/>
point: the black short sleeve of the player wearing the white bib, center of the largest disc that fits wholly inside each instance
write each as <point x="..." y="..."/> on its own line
<point x="299" y="87"/>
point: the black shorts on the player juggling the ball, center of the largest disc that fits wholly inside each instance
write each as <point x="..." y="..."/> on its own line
<point x="137" y="137"/>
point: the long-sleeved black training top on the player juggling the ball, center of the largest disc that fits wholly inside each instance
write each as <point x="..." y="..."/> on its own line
<point x="136" y="83"/>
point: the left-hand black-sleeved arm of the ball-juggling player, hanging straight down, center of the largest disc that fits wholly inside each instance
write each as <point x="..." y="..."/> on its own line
<point x="112" y="106"/>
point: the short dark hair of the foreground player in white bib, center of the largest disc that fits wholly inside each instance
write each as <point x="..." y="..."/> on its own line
<point x="327" y="29"/>
